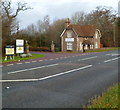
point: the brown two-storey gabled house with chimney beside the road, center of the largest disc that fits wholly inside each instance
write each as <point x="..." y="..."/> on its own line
<point x="78" y="38"/>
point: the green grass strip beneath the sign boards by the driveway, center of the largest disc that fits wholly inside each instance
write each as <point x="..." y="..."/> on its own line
<point x="17" y="58"/>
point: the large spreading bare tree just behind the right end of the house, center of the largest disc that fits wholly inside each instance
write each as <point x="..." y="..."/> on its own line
<point x="103" y="18"/>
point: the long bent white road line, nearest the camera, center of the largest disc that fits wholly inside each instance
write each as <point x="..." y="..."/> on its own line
<point x="47" y="77"/>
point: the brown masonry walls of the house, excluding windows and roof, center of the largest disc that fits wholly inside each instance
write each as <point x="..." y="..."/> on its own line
<point x="77" y="44"/>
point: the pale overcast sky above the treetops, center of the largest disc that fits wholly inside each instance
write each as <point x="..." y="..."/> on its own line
<point x="57" y="9"/>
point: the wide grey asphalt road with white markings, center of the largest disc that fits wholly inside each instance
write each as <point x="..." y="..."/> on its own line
<point x="63" y="82"/>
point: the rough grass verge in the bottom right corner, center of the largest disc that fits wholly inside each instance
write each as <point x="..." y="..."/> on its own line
<point x="109" y="99"/>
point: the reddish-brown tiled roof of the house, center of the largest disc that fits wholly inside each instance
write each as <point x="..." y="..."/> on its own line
<point x="87" y="30"/>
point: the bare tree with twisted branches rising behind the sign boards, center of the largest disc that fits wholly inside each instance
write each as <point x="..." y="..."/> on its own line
<point x="9" y="22"/>
